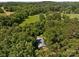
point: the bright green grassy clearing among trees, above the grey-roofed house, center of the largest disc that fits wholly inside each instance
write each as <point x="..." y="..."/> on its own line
<point x="31" y="19"/>
